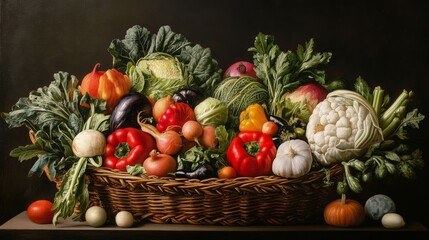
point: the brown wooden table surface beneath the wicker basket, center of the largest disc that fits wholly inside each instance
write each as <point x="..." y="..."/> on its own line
<point x="20" y="227"/>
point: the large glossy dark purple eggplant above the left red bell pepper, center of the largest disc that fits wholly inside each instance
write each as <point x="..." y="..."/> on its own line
<point x="126" y="111"/>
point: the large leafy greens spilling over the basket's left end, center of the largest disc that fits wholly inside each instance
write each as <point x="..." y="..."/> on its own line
<point x="55" y="114"/>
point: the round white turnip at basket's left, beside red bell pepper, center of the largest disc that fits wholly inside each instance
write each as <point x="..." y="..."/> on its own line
<point x="89" y="143"/>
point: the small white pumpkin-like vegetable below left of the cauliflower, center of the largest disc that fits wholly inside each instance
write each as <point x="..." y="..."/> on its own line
<point x="293" y="159"/>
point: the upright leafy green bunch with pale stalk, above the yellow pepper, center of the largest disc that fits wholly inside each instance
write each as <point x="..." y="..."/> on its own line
<point x="282" y="71"/>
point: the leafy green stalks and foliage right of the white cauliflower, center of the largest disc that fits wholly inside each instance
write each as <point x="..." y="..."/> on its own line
<point x="392" y="156"/>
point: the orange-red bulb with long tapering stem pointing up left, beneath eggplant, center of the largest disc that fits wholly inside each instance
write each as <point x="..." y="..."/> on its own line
<point x="168" y="142"/>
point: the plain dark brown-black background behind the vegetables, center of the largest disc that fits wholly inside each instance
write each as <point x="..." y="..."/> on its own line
<point x="385" y="42"/>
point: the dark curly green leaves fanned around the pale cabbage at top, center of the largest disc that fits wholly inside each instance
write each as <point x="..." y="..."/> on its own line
<point x="139" y="42"/>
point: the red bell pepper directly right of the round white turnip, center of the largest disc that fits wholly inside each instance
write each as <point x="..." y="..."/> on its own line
<point x="127" y="146"/>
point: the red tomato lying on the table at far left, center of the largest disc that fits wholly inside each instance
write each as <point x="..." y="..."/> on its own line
<point x="40" y="212"/>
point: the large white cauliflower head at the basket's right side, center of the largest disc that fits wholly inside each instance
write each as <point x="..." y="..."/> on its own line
<point x="342" y="127"/>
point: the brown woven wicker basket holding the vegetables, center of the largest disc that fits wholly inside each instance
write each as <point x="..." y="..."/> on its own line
<point x="262" y="200"/>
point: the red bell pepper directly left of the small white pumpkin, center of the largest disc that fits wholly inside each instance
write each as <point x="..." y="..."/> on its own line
<point x="251" y="153"/>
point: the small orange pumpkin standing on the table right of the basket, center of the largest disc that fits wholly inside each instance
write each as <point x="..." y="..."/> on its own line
<point x="344" y="212"/>
